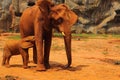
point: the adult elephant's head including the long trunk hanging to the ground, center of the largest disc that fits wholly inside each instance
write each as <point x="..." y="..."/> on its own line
<point x="62" y="18"/>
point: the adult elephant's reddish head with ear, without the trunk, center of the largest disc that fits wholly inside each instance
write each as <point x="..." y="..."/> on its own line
<point x="62" y="17"/>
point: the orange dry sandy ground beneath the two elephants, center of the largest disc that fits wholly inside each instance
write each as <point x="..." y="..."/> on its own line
<point x="93" y="59"/>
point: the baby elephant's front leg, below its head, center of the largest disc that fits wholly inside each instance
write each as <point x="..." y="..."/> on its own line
<point x="25" y="57"/>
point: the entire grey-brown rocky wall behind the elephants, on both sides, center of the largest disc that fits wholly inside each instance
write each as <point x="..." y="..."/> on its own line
<point x="95" y="16"/>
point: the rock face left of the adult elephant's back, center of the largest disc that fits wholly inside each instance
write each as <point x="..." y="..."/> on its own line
<point x="7" y="23"/>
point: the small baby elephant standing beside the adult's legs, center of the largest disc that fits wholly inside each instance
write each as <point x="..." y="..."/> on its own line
<point x="16" y="47"/>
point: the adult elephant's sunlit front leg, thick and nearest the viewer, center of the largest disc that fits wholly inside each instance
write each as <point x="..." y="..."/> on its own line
<point x="39" y="44"/>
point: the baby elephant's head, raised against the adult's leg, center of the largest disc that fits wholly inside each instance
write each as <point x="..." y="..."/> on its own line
<point x="27" y="42"/>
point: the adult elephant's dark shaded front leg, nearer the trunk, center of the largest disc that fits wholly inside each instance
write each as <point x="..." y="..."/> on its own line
<point x="47" y="45"/>
